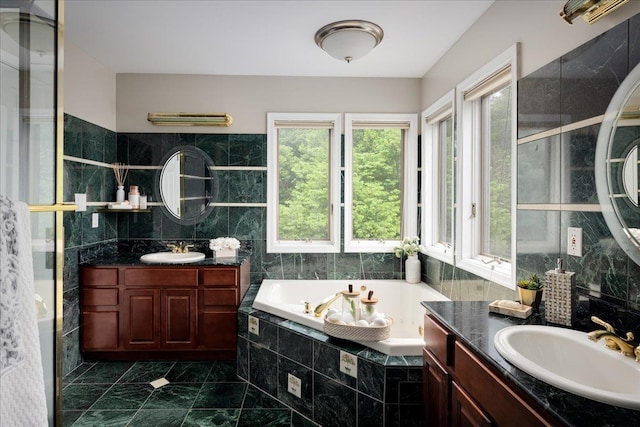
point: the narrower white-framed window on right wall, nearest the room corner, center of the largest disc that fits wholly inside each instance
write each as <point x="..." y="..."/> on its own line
<point x="438" y="179"/>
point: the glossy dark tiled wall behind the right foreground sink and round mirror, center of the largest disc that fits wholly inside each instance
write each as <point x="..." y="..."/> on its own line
<point x="560" y="108"/>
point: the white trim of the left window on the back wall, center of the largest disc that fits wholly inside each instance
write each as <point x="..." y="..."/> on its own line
<point x="333" y="244"/>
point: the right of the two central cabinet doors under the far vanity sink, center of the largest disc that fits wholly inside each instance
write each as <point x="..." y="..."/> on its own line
<point x="179" y="318"/>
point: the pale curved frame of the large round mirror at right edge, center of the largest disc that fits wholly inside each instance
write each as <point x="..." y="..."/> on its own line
<point x="604" y="175"/>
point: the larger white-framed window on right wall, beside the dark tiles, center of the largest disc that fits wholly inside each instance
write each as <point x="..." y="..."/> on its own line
<point x="486" y="171"/>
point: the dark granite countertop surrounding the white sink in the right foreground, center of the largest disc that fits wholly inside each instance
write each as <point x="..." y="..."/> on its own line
<point x="475" y="326"/>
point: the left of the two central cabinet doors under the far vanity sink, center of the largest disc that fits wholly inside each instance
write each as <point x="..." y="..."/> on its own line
<point x="141" y="319"/>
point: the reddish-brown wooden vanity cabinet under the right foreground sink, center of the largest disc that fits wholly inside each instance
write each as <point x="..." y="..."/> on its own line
<point x="462" y="390"/>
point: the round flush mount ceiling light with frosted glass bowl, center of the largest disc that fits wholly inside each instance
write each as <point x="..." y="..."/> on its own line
<point x="349" y="40"/>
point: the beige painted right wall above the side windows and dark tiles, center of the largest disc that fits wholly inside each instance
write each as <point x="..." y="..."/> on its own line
<point x="543" y="36"/>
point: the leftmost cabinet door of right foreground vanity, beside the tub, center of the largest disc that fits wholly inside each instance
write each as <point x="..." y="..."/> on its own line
<point x="436" y="383"/>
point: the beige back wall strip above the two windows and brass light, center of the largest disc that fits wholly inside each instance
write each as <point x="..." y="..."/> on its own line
<point x="248" y="98"/>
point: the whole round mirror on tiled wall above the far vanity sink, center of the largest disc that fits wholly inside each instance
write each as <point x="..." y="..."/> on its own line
<point x="187" y="184"/>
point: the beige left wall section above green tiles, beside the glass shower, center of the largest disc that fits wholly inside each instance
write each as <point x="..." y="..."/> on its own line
<point x="89" y="88"/>
